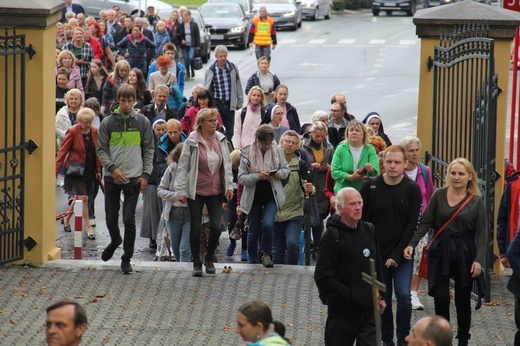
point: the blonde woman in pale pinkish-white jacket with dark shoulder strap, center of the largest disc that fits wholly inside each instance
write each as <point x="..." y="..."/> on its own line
<point x="246" y="124"/>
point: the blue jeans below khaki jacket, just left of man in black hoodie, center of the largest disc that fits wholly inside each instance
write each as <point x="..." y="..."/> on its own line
<point x="287" y="234"/>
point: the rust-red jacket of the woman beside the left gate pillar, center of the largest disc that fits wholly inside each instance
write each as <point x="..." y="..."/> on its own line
<point x="73" y="149"/>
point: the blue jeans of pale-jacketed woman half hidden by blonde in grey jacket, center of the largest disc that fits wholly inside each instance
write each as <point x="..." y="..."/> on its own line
<point x="178" y="226"/>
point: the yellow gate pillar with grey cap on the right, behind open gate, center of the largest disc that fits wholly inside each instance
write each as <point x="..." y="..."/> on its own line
<point x="431" y="24"/>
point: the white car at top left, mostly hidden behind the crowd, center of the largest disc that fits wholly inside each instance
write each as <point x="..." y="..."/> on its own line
<point x="92" y="7"/>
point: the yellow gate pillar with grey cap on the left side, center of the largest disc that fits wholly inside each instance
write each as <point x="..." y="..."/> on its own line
<point x="37" y="21"/>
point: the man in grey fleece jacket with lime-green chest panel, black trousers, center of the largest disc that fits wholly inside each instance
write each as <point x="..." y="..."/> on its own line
<point x="125" y="149"/>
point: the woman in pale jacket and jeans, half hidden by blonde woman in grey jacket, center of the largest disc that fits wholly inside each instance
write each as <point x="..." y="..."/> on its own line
<point x="175" y="213"/>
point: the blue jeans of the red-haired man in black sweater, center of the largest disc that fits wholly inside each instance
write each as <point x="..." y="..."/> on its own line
<point x="398" y="279"/>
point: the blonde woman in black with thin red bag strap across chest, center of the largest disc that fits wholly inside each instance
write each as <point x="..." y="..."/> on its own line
<point x="458" y="251"/>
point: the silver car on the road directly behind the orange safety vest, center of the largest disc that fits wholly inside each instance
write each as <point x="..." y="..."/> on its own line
<point x="286" y="13"/>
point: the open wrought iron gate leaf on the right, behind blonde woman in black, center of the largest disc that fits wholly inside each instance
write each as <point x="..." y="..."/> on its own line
<point x="464" y="113"/>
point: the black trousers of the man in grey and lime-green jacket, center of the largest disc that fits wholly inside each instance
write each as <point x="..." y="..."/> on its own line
<point x="112" y="206"/>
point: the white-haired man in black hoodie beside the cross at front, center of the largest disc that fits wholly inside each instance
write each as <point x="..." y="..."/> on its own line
<point x="345" y="252"/>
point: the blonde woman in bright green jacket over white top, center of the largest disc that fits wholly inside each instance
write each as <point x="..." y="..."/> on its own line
<point x="355" y="159"/>
